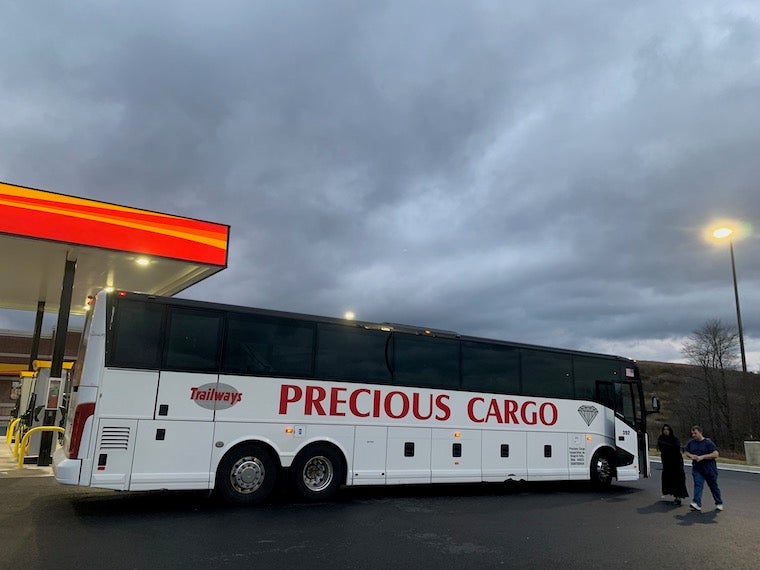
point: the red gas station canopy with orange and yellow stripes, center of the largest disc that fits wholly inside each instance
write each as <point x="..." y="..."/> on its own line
<point x="113" y="246"/>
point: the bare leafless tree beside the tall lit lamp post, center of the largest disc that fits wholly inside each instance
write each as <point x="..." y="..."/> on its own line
<point x="714" y="348"/>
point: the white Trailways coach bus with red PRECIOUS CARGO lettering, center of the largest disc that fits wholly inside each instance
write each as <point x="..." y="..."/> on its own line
<point x="178" y="394"/>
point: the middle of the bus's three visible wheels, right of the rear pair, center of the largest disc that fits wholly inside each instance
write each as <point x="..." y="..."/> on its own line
<point x="318" y="472"/>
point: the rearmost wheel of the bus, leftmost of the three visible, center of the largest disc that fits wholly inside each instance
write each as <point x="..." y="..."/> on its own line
<point x="246" y="475"/>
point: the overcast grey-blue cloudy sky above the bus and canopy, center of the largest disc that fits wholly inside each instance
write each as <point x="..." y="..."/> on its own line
<point x="540" y="171"/>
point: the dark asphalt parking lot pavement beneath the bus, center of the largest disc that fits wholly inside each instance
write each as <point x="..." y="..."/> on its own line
<point x="467" y="526"/>
